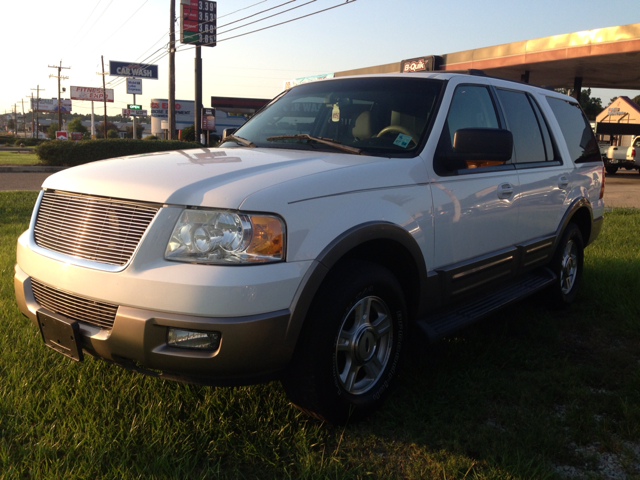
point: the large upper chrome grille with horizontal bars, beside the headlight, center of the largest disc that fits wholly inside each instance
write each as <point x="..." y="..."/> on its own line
<point x="103" y="230"/>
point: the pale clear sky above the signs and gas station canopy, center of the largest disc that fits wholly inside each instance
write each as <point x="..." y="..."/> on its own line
<point x="357" y="33"/>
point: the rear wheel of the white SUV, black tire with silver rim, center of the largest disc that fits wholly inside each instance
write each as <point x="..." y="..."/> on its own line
<point x="567" y="264"/>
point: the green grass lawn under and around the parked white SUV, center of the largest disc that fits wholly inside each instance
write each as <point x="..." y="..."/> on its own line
<point x="505" y="399"/>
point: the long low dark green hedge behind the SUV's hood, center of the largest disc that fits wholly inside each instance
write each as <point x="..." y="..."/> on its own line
<point x="86" y="151"/>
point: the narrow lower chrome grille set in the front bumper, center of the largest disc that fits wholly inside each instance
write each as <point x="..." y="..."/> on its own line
<point x="74" y="307"/>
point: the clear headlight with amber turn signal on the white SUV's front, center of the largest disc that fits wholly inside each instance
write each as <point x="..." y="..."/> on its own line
<point x="214" y="236"/>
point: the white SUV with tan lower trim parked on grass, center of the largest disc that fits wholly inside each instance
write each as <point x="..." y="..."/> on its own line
<point x="344" y="215"/>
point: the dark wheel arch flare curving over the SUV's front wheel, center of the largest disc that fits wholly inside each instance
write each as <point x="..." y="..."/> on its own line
<point x="365" y="241"/>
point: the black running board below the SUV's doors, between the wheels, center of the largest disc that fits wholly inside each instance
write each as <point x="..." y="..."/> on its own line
<point x="460" y="316"/>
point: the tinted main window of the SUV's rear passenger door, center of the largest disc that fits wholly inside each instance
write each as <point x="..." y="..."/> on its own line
<point x="521" y="120"/>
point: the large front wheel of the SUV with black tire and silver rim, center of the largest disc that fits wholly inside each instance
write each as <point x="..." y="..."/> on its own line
<point x="345" y="362"/>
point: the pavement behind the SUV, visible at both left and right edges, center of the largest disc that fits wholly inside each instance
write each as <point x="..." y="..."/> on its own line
<point x="621" y="189"/>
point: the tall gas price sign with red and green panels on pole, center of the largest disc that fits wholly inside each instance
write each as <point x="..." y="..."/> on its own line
<point x="198" y="22"/>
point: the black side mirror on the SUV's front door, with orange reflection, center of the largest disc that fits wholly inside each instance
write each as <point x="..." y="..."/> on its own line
<point x="488" y="146"/>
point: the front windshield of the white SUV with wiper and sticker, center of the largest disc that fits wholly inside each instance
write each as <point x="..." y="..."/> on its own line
<point x="373" y="116"/>
